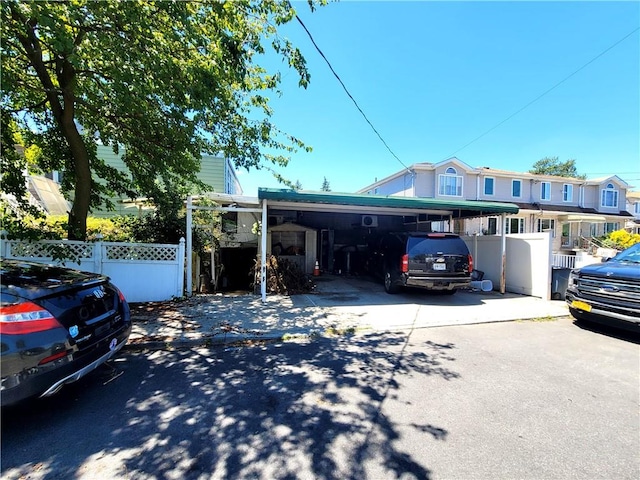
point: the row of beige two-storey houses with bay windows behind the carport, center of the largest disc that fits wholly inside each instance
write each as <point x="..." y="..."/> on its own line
<point x="572" y="209"/>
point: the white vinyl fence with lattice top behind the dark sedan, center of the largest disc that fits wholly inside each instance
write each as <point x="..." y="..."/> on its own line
<point x="143" y="271"/>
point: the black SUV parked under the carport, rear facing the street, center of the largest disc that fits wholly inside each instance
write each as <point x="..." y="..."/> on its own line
<point x="434" y="261"/>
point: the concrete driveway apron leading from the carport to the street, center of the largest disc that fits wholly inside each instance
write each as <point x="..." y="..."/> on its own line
<point x="337" y="305"/>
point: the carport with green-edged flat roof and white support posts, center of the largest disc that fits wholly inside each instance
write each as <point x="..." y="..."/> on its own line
<point x="343" y="220"/>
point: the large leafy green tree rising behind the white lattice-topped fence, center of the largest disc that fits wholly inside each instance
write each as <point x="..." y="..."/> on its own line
<point x="162" y="82"/>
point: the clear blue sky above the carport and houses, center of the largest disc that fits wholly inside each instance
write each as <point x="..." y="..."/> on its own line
<point x="432" y="77"/>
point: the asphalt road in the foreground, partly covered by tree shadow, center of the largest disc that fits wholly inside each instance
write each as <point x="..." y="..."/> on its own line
<point x="531" y="400"/>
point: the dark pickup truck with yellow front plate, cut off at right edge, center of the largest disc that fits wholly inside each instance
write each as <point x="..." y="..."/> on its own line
<point x="608" y="292"/>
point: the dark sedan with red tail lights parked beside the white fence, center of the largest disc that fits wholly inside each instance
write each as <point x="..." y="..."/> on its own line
<point x="56" y="324"/>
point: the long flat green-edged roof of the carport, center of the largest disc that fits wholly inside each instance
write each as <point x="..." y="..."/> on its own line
<point x="332" y="201"/>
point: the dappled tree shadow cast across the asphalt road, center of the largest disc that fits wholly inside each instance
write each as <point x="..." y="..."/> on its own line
<point x="288" y="410"/>
